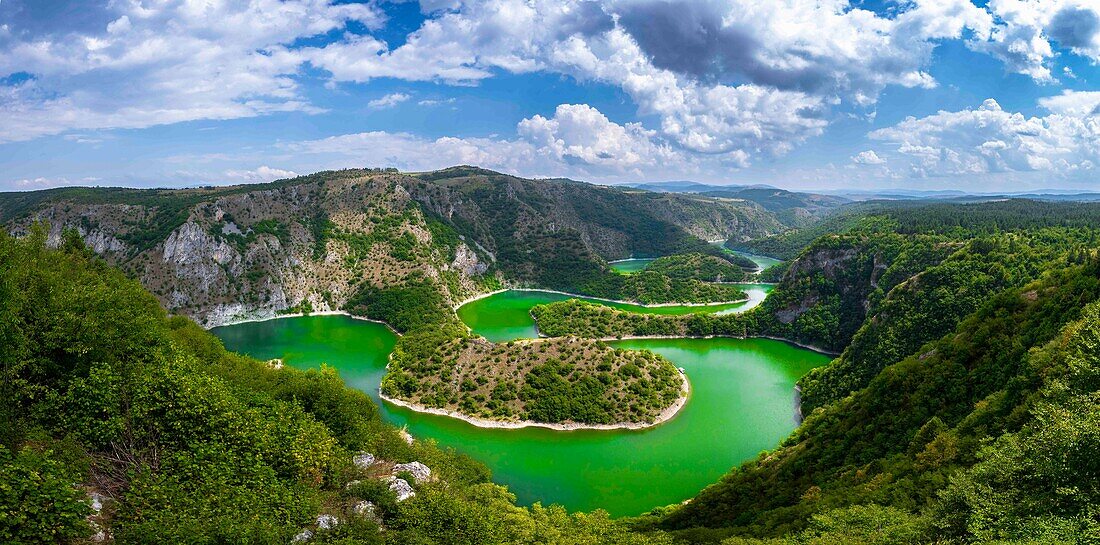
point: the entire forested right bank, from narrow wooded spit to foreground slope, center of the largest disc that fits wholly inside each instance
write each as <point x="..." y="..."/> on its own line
<point x="964" y="408"/>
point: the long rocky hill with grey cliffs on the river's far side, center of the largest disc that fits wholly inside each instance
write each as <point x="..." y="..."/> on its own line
<point x="315" y="243"/>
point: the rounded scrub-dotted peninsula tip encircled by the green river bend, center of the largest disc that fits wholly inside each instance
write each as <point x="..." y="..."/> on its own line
<point x="551" y="381"/>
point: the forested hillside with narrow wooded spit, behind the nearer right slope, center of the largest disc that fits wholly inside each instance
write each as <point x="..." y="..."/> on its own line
<point x="881" y="290"/>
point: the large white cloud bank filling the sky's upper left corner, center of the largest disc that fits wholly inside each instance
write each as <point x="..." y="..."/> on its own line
<point x="166" y="62"/>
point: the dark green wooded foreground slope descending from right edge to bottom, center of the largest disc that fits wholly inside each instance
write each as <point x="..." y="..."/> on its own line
<point x="980" y="437"/>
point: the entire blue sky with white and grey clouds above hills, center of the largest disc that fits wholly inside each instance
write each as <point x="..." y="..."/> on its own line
<point x="980" y="96"/>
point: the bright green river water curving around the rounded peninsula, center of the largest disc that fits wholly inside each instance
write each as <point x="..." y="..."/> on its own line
<point x="743" y="402"/>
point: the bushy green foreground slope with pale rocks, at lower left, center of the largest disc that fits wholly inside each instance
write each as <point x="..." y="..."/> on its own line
<point x="186" y="443"/>
